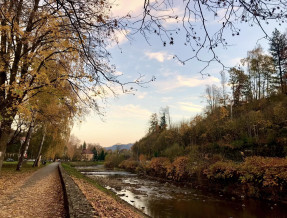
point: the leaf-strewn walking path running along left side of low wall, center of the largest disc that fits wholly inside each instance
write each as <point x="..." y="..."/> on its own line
<point x="40" y="196"/>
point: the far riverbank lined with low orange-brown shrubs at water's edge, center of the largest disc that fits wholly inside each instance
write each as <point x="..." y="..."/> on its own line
<point x="256" y="177"/>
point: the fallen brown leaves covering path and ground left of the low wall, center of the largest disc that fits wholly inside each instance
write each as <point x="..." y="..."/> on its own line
<point x="41" y="199"/>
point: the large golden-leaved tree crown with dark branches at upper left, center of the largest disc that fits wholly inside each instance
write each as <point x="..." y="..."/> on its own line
<point x="48" y="43"/>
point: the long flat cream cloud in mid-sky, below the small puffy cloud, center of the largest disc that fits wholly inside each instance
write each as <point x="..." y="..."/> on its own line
<point x="182" y="81"/>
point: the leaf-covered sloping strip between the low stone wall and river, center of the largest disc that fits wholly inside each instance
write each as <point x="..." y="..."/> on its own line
<point x="104" y="202"/>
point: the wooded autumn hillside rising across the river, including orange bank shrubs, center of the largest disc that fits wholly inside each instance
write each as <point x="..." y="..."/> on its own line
<point x="240" y="138"/>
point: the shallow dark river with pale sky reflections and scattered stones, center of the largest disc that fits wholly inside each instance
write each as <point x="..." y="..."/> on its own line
<point x="158" y="199"/>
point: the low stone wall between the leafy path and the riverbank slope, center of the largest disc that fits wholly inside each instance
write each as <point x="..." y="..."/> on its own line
<point x="75" y="201"/>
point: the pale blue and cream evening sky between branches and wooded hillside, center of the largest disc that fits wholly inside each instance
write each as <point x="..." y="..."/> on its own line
<point x="180" y="87"/>
